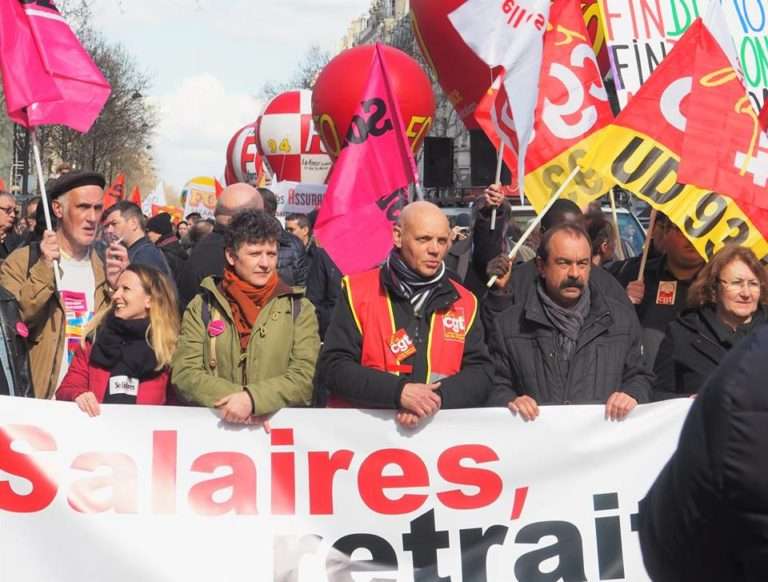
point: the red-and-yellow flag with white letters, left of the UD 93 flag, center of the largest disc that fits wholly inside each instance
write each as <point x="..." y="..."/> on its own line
<point x="571" y="110"/>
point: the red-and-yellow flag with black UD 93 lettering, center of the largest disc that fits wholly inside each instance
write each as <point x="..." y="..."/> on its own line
<point x="641" y="151"/>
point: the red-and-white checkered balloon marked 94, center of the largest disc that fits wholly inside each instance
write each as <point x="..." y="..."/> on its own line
<point x="288" y="140"/>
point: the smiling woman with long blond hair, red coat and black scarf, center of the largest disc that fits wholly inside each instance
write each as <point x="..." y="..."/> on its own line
<point x="128" y="347"/>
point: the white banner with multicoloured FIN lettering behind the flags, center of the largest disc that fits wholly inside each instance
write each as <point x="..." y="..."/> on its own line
<point x="640" y="33"/>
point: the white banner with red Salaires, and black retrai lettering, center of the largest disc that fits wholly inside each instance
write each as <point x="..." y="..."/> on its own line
<point x="168" y="494"/>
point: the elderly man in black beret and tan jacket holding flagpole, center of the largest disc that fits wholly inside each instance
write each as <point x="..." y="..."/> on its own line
<point x="55" y="317"/>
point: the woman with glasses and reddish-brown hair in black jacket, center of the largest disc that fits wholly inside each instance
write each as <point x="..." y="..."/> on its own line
<point x="727" y="301"/>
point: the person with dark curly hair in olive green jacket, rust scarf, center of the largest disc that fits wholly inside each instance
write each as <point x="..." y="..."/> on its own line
<point x="249" y="342"/>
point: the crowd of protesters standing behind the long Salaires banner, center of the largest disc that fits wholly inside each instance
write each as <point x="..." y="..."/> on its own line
<point x="246" y="316"/>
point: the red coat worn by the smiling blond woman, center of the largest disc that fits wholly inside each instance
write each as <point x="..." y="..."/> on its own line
<point x="83" y="376"/>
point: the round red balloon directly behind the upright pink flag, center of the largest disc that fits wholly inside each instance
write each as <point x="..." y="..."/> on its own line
<point x="341" y="84"/>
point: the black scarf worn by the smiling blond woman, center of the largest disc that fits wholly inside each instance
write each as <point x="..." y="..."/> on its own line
<point x="121" y="347"/>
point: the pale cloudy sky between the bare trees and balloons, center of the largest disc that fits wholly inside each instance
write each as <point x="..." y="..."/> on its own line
<point x="208" y="59"/>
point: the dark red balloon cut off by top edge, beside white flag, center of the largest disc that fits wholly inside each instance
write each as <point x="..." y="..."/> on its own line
<point x="462" y="75"/>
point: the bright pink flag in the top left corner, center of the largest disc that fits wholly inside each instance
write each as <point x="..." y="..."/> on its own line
<point x="48" y="77"/>
